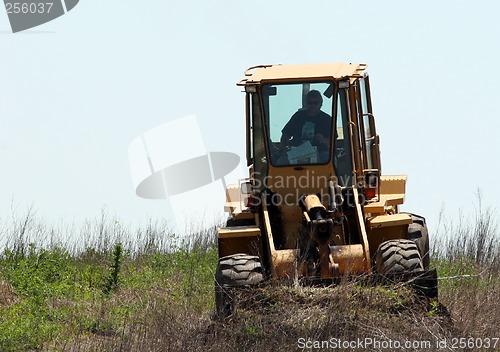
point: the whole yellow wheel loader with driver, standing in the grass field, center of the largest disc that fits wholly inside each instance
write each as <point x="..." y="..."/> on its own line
<point x="316" y="204"/>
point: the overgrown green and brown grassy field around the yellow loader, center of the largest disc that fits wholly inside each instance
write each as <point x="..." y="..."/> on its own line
<point x="114" y="290"/>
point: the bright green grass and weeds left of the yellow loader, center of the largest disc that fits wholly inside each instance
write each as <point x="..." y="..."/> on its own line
<point x="59" y="296"/>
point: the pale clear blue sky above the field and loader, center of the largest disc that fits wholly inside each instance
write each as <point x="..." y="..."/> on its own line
<point x="76" y="91"/>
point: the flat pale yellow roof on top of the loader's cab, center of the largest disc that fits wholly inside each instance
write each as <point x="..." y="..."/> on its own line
<point x="339" y="70"/>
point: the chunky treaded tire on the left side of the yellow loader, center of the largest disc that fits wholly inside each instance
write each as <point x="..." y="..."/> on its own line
<point x="237" y="270"/>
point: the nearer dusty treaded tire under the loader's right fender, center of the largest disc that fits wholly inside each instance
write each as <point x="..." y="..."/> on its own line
<point x="396" y="257"/>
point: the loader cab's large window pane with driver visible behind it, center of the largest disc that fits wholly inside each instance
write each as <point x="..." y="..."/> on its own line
<point x="299" y="122"/>
